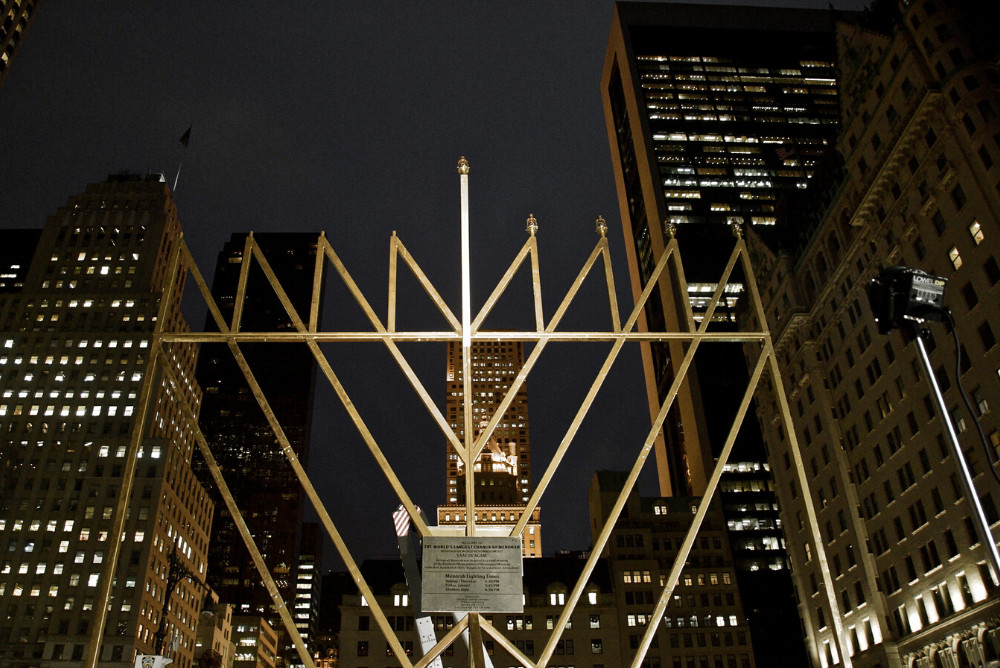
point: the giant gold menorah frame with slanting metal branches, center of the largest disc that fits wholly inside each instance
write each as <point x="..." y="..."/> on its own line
<point x="469" y="330"/>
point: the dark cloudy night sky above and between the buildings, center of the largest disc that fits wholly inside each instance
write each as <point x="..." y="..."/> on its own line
<point x="349" y="118"/>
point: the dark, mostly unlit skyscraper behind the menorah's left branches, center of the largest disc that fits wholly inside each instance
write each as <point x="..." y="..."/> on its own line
<point x="242" y="441"/>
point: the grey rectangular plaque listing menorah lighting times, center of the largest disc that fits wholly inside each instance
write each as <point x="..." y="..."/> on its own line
<point x="472" y="574"/>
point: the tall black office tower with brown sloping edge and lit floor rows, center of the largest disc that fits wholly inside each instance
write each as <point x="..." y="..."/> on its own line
<point x="714" y="113"/>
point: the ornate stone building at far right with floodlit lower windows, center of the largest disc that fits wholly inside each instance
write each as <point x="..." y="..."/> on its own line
<point x="899" y="577"/>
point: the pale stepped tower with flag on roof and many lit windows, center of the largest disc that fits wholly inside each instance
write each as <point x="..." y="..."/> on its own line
<point x="73" y="357"/>
